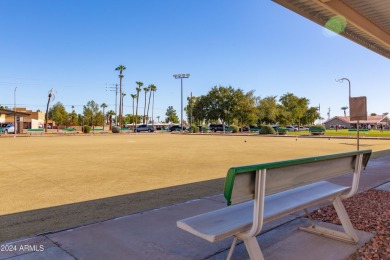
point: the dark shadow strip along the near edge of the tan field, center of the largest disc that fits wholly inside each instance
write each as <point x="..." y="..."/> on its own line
<point x="23" y="224"/>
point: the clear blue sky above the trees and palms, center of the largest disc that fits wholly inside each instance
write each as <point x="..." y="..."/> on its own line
<point x="74" y="46"/>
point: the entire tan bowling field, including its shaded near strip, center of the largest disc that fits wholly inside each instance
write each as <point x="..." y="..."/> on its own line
<point x="55" y="182"/>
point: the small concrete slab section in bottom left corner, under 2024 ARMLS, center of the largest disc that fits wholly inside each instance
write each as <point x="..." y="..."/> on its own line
<point x="38" y="247"/>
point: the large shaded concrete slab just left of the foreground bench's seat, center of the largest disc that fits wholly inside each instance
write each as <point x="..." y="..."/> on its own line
<point x="149" y="235"/>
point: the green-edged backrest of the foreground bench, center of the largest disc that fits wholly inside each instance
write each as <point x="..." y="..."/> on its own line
<point x="285" y="175"/>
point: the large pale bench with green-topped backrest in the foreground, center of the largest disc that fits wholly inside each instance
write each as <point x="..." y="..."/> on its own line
<point x="261" y="193"/>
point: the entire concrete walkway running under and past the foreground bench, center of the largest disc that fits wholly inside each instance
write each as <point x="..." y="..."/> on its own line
<point x="153" y="234"/>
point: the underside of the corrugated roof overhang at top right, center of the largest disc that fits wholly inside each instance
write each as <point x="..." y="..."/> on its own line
<point x="368" y="22"/>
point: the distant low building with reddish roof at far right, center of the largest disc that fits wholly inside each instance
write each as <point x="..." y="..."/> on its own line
<point x="345" y="122"/>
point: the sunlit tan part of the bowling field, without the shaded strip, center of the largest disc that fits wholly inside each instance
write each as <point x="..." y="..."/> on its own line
<point x="42" y="172"/>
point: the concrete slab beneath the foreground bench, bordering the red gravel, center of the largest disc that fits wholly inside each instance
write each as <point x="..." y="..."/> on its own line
<point x="287" y="242"/>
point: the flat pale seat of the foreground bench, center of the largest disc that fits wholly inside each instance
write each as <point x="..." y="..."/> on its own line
<point x="214" y="225"/>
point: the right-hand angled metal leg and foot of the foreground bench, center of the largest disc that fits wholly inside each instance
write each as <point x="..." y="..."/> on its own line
<point x="348" y="236"/>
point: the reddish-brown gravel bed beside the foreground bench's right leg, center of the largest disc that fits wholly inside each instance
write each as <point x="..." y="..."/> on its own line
<point x="370" y="212"/>
